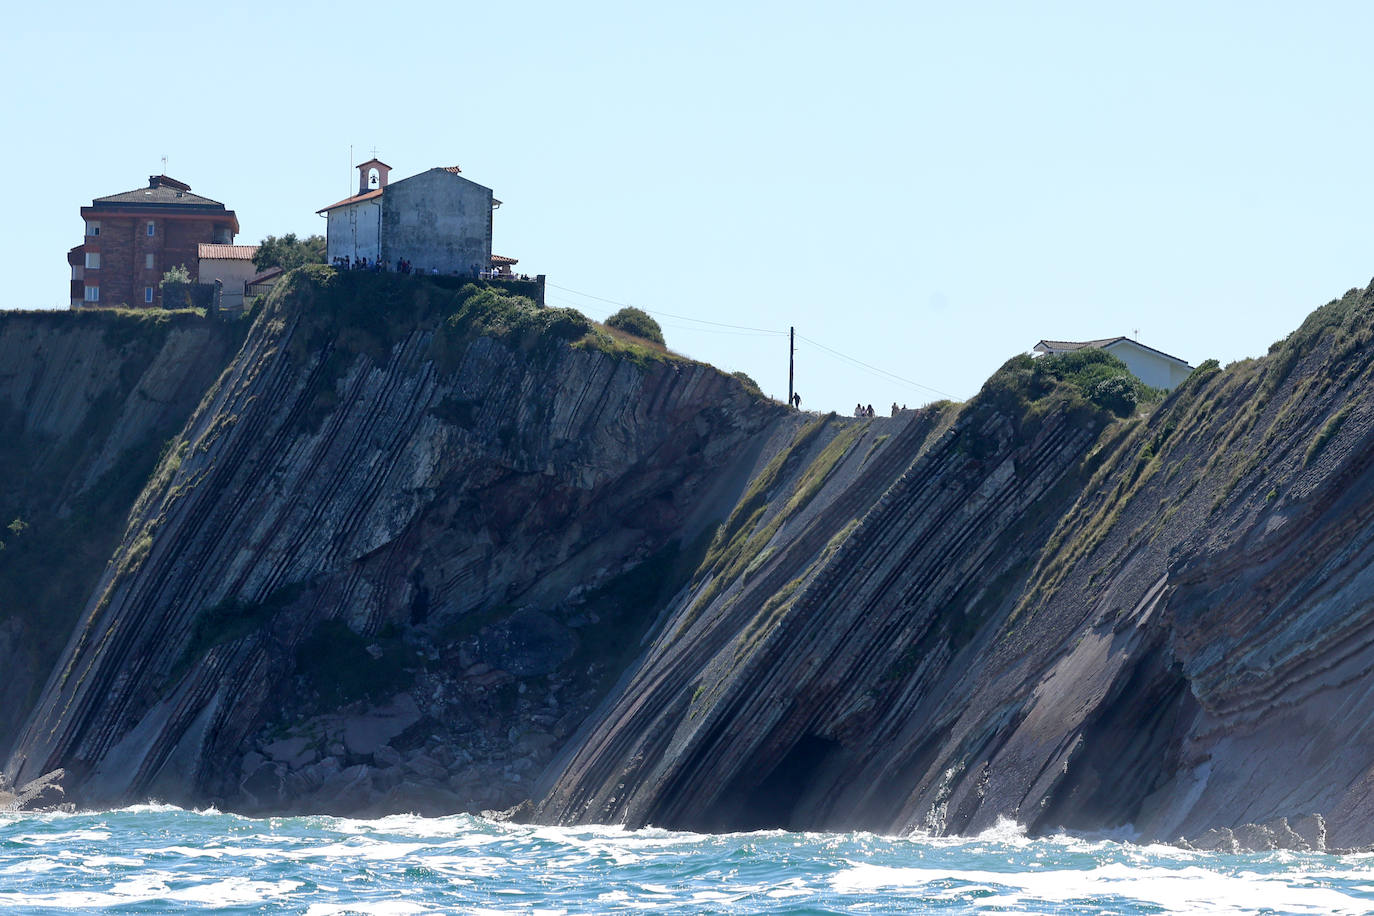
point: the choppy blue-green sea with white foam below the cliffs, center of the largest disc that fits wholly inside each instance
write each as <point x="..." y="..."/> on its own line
<point x="160" y="859"/>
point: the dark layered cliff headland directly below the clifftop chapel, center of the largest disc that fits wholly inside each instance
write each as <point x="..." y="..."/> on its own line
<point x="412" y="502"/>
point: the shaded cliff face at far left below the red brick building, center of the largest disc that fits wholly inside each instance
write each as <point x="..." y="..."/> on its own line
<point x="89" y="402"/>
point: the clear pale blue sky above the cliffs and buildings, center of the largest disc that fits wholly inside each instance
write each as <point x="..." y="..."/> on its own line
<point x="921" y="190"/>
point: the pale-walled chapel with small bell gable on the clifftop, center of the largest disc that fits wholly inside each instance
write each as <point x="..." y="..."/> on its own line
<point x="438" y="220"/>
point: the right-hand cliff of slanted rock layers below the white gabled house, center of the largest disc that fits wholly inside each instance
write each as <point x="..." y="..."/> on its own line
<point x="1159" y="626"/>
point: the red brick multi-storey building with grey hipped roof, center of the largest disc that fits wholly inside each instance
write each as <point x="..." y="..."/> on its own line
<point x="134" y="238"/>
